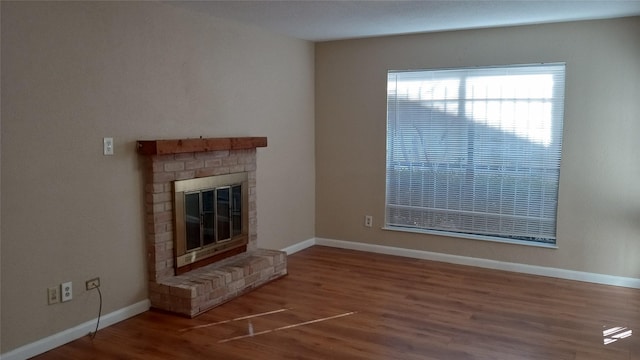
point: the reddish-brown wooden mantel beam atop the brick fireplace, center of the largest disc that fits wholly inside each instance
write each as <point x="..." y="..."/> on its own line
<point x="177" y="146"/>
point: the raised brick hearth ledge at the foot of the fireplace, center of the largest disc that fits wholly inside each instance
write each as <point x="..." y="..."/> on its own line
<point x="204" y="288"/>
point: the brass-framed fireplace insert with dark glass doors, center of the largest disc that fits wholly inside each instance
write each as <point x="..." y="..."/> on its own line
<point x="211" y="219"/>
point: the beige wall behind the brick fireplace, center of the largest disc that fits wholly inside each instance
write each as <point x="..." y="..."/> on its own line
<point x="73" y="73"/>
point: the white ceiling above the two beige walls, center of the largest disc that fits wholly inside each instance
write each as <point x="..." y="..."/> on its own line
<point x="334" y="20"/>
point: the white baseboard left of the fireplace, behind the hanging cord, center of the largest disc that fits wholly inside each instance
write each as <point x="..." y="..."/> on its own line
<point x="76" y="332"/>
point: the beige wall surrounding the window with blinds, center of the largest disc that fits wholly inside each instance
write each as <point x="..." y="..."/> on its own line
<point x="599" y="204"/>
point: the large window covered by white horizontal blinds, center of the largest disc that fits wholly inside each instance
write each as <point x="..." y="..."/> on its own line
<point x="475" y="152"/>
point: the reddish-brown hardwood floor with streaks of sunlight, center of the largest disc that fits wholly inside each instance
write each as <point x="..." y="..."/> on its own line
<point x="342" y="304"/>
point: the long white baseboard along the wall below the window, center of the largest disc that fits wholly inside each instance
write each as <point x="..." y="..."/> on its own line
<point x="484" y="263"/>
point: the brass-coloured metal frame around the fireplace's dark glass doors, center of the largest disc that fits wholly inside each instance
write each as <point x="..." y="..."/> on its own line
<point x="184" y="256"/>
